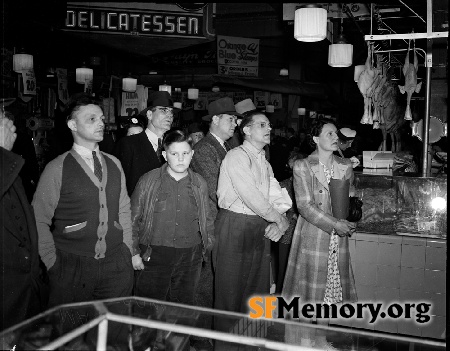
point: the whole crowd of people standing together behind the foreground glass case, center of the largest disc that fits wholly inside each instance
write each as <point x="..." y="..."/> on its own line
<point x="172" y="212"/>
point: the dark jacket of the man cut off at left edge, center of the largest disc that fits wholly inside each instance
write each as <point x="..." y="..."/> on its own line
<point x="20" y="285"/>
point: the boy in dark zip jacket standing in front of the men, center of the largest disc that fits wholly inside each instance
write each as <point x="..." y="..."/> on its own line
<point x="172" y="225"/>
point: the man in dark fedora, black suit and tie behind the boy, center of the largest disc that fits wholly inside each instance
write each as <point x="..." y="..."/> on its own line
<point x="141" y="153"/>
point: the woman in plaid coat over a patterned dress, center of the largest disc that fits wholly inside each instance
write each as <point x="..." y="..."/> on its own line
<point x="319" y="267"/>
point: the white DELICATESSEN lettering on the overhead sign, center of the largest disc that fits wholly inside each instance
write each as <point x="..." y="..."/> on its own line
<point x="133" y="22"/>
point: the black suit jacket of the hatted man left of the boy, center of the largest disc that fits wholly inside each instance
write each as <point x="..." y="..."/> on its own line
<point x="137" y="156"/>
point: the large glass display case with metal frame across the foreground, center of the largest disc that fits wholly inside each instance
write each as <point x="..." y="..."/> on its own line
<point x="145" y="324"/>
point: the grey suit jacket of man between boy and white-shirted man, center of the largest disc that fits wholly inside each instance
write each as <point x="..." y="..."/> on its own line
<point x="208" y="156"/>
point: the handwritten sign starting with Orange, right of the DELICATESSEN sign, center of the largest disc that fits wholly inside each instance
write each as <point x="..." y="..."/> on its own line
<point x="237" y="56"/>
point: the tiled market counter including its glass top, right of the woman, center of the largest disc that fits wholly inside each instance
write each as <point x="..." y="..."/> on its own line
<point x="399" y="251"/>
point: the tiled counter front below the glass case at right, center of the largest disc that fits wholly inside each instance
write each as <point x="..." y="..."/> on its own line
<point x="400" y="269"/>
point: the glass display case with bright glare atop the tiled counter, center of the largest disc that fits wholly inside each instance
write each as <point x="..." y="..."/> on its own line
<point x="403" y="205"/>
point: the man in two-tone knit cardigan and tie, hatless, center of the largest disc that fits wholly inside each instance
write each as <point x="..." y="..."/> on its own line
<point x="83" y="215"/>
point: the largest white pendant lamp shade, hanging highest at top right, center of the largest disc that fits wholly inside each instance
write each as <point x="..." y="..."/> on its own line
<point x="310" y="24"/>
